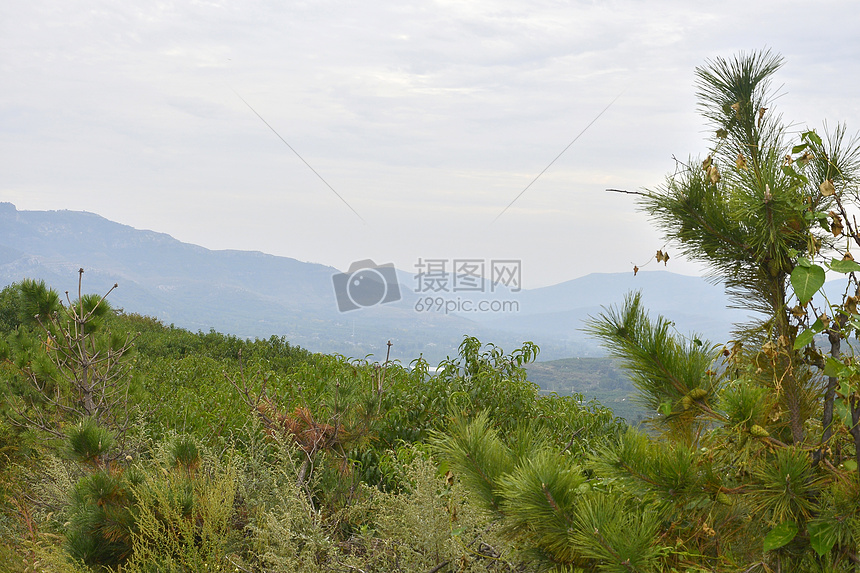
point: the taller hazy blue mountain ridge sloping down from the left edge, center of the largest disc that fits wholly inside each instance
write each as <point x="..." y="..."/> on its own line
<point x="249" y="294"/>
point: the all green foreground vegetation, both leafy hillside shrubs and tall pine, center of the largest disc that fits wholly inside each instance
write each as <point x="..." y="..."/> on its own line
<point x="129" y="446"/>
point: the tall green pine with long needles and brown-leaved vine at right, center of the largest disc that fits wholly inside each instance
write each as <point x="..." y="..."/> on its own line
<point x="749" y="464"/>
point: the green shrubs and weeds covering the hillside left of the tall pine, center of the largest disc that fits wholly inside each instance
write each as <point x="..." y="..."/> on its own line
<point x="134" y="446"/>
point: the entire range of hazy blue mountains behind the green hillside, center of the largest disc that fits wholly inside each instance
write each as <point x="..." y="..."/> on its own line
<point x="252" y="294"/>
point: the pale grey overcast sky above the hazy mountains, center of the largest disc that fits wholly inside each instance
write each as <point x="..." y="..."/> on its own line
<point x="427" y="118"/>
